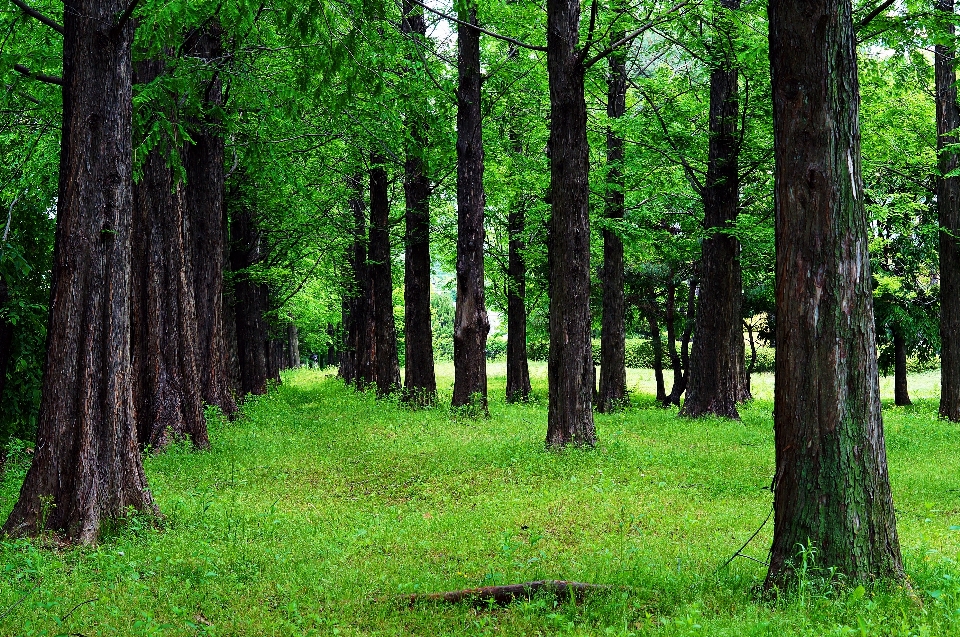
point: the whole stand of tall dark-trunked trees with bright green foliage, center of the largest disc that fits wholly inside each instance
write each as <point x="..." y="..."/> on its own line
<point x="249" y="176"/>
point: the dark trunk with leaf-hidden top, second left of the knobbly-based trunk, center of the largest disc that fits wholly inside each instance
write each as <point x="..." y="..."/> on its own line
<point x="386" y="364"/>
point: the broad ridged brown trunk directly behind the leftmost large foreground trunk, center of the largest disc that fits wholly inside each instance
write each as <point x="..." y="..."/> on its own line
<point x="166" y="381"/>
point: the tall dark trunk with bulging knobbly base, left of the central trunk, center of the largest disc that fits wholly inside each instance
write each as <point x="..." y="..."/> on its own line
<point x="471" y="324"/>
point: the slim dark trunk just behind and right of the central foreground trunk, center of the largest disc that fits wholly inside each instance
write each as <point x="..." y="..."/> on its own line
<point x="613" y="372"/>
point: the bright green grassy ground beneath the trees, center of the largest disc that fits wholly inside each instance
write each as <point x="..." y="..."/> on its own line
<point x="320" y="506"/>
